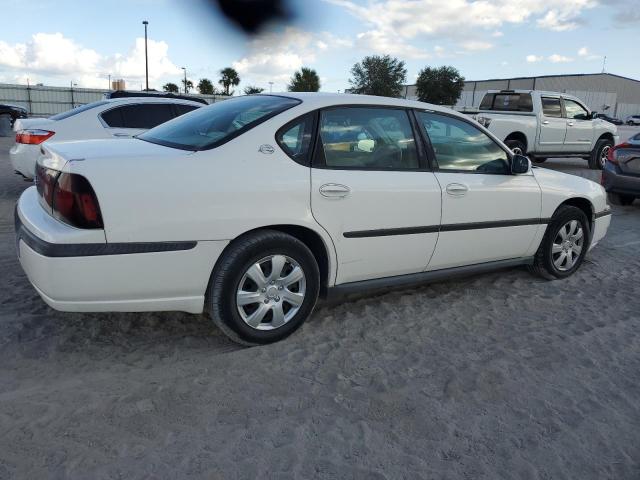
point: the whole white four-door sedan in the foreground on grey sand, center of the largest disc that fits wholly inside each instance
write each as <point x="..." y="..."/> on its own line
<point x="249" y="209"/>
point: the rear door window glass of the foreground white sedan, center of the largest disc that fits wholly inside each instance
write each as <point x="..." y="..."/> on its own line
<point x="368" y="138"/>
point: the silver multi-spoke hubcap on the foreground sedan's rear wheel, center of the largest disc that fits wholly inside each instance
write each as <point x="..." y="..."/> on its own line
<point x="271" y="292"/>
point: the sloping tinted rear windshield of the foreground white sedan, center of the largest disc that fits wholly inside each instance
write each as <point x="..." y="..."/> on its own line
<point x="216" y="124"/>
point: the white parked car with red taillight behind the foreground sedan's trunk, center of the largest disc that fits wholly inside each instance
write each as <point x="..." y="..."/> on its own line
<point x="117" y="118"/>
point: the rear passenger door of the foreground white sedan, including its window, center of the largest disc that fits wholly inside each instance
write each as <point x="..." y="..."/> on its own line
<point x="371" y="191"/>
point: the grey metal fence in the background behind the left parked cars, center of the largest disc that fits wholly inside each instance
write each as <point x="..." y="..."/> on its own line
<point x="43" y="101"/>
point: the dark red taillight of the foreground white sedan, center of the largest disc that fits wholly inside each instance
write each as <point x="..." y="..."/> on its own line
<point x="69" y="197"/>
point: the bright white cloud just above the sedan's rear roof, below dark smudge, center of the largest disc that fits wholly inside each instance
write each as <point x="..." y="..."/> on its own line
<point x="274" y="56"/>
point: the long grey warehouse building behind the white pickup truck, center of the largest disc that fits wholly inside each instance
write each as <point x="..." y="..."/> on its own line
<point x="602" y="92"/>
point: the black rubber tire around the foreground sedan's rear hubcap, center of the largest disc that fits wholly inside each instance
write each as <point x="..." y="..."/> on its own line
<point x="220" y="304"/>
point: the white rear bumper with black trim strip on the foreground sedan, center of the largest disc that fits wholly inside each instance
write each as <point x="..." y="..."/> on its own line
<point x="78" y="273"/>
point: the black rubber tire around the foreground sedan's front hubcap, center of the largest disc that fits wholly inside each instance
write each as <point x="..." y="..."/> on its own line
<point x="543" y="264"/>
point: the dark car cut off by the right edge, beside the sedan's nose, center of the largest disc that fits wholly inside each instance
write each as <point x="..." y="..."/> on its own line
<point x="621" y="174"/>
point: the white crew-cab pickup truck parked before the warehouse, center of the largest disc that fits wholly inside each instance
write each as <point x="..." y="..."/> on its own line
<point x="547" y="124"/>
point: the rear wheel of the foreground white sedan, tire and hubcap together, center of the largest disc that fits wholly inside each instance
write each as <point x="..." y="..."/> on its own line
<point x="263" y="288"/>
